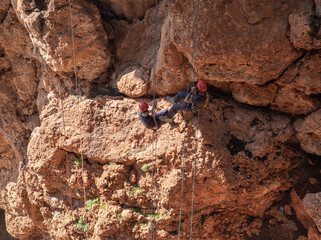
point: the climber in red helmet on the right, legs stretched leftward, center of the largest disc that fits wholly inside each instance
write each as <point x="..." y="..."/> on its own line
<point x="193" y="101"/>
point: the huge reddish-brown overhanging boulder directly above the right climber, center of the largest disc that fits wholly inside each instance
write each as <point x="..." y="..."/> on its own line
<point x="241" y="51"/>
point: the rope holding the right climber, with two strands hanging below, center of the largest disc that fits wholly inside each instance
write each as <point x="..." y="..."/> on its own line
<point x="184" y="151"/>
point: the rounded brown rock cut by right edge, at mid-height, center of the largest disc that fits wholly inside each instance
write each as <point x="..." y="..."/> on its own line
<point x="309" y="132"/>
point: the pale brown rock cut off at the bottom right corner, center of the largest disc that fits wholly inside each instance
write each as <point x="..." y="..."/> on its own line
<point x="312" y="204"/>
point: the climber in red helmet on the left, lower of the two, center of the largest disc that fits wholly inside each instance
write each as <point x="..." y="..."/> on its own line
<point x="152" y="121"/>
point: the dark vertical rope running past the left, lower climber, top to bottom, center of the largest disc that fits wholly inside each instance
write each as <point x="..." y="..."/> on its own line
<point x="154" y="145"/>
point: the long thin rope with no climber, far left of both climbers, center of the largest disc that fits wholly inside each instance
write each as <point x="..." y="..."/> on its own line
<point x="78" y="111"/>
